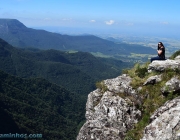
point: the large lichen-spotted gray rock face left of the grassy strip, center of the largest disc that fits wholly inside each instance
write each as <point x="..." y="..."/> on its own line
<point x="108" y="116"/>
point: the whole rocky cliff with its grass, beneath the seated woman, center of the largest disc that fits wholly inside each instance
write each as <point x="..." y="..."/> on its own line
<point x="140" y="104"/>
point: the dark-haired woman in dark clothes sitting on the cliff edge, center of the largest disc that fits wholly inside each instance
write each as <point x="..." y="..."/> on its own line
<point x="160" y="51"/>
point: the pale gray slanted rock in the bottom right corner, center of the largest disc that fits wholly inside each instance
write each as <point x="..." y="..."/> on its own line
<point x="165" y="123"/>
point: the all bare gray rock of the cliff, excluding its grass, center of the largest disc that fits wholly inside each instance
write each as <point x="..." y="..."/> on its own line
<point x="111" y="112"/>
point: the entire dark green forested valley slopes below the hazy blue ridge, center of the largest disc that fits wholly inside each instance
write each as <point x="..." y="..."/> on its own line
<point x="45" y="91"/>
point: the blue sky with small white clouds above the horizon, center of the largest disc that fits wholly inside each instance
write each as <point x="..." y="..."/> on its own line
<point x="116" y="16"/>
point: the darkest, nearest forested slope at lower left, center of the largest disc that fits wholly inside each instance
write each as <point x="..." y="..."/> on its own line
<point x="36" y="106"/>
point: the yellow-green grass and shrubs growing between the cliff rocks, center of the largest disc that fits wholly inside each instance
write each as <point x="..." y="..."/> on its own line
<point x="152" y="97"/>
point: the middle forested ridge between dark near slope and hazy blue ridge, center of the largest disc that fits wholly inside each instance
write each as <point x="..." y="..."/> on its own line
<point x="77" y="72"/>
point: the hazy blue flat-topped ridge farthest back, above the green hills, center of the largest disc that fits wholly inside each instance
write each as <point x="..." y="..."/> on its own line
<point x="18" y="35"/>
